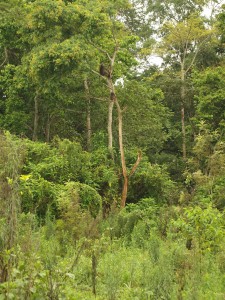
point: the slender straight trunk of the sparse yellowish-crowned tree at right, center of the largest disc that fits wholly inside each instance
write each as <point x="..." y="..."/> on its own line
<point x="184" y="151"/>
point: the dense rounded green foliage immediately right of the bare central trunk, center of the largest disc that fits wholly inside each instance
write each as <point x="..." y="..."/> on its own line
<point x="145" y="117"/>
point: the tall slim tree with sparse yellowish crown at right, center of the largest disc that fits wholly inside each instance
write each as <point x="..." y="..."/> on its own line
<point x="181" y="44"/>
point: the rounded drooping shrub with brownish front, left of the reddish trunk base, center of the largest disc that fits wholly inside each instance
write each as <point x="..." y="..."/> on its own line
<point x="78" y="205"/>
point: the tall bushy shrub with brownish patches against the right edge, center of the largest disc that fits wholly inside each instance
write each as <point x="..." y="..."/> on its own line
<point x="206" y="174"/>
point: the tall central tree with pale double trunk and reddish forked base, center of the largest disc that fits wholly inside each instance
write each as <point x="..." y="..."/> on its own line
<point x="116" y="59"/>
